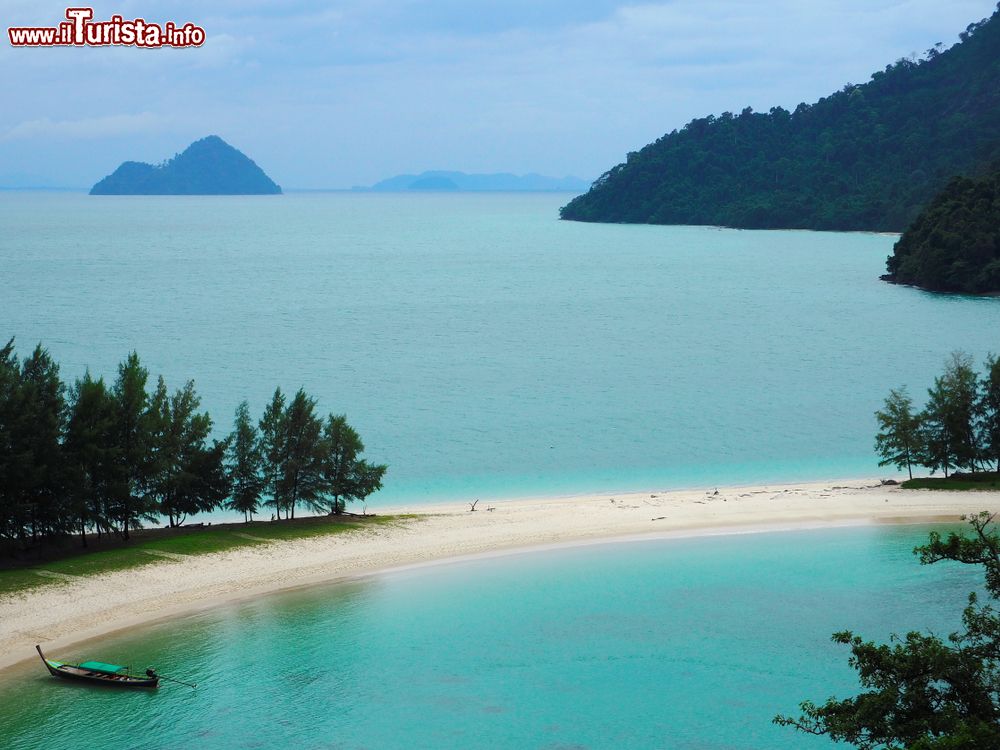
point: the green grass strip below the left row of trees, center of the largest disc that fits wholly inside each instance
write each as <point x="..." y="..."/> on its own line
<point x="184" y="541"/>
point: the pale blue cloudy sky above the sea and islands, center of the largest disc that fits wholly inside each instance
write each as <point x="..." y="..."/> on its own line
<point x="336" y="94"/>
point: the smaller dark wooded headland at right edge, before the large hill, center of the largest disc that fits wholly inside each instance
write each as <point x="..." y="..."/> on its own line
<point x="954" y="245"/>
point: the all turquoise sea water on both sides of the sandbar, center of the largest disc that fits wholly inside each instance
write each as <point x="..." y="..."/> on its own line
<point x="484" y="348"/>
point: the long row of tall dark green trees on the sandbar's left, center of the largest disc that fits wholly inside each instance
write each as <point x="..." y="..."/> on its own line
<point x="100" y="458"/>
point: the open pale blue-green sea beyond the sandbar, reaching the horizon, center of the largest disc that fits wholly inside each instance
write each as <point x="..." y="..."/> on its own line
<point x="484" y="348"/>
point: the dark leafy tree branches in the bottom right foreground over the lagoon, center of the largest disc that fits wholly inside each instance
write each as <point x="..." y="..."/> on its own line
<point x="923" y="692"/>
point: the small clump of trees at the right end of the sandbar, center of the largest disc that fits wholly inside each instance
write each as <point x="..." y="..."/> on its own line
<point x="959" y="426"/>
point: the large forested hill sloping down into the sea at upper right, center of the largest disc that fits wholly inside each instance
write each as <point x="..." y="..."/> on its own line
<point x="868" y="157"/>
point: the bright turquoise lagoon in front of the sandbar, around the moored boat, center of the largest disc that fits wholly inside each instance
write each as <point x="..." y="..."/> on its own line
<point x="690" y="644"/>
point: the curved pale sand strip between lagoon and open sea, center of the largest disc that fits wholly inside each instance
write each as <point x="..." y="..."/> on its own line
<point x="79" y="610"/>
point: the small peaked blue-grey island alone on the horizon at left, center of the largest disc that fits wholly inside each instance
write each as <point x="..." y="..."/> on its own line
<point x="206" y="167"/>
